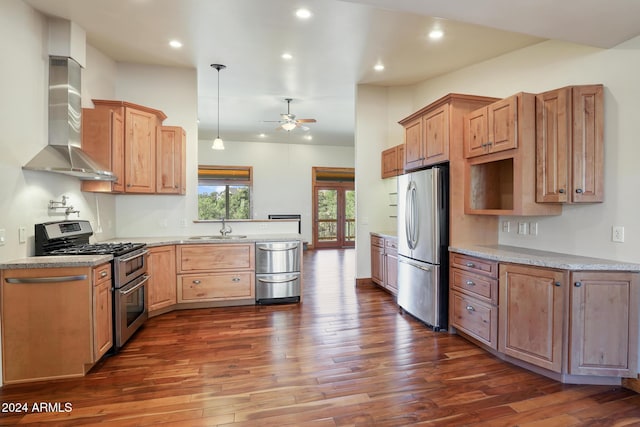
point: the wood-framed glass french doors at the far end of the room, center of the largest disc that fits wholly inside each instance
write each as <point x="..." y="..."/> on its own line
<point x="334" y="215"/>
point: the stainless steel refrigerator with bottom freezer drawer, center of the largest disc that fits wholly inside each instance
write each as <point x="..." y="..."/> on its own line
<point x="423" y="239"/>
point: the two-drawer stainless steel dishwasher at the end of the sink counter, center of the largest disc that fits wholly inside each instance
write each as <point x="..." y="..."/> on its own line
<point x="278" y="277"/>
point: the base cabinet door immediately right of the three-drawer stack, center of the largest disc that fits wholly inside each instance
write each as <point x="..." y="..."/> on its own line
<point x="531" y="310"/>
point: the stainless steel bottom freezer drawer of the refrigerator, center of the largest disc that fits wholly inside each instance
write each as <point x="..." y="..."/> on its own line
<point x="419" y="292"/>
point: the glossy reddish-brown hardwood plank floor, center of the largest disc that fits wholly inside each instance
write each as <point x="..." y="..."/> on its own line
<point x="345" y="357"/>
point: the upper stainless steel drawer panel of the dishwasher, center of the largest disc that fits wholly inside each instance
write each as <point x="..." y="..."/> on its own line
<point x="278" y="257"/>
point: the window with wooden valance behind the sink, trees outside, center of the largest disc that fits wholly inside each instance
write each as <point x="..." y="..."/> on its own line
<point x="224" y="192"/>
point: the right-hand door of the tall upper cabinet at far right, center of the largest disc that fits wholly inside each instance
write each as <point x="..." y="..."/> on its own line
<point x="587" y="144"/>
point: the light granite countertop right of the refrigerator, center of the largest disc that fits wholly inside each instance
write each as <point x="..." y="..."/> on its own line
<point x="516" y="255"/>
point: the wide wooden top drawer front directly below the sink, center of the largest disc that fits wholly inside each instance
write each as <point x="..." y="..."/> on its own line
<point x="192" y="258"/>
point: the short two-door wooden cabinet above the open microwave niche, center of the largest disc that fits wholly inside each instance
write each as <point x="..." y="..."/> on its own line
<point x="492" y="128"/>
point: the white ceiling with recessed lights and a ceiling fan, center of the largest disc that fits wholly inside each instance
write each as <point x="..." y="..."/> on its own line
<point x="332" y="51"/>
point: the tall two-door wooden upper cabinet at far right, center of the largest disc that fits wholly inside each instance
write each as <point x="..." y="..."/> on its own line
<point x="570" y="145"/>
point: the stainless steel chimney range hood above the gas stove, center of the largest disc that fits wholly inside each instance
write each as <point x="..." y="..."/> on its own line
<point x="63" y="154"/>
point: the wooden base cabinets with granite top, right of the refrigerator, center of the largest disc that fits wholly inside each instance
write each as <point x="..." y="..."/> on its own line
<point x="574" y="319"/>
